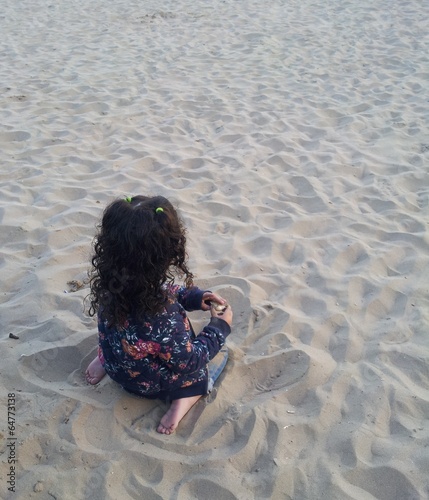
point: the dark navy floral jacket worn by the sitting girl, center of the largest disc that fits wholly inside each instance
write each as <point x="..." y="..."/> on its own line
<point x="160" y="357"/>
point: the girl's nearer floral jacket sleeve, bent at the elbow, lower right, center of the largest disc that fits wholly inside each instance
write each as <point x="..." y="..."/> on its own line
<point x="183" y="353"/>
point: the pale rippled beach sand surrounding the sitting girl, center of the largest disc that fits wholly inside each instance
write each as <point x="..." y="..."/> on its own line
<point x="293" y="137"/>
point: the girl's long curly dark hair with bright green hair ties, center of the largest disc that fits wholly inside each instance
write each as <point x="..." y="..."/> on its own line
<point x="137" y="250"/>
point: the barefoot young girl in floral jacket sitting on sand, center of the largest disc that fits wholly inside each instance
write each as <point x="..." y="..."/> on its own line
<point x="146" y="342"/>
